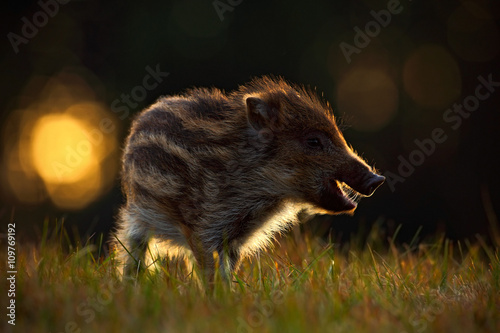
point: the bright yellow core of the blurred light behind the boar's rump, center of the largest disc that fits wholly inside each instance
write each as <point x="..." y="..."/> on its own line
<point x="67" y="160"/>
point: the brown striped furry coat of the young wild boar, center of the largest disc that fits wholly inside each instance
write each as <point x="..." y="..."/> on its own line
<point x="208" y="171"/>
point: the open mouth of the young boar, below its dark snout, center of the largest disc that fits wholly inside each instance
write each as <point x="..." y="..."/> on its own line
<point x="338" y="197"/>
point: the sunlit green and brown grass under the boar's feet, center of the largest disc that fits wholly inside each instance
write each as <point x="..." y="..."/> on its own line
<point x="303" y="285"/>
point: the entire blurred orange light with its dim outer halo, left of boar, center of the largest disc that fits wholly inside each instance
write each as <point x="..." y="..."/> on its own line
<point x="62" y="147"/>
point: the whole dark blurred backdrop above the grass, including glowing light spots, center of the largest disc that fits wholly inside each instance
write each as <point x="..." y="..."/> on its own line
<point x="75" y="72"/>
